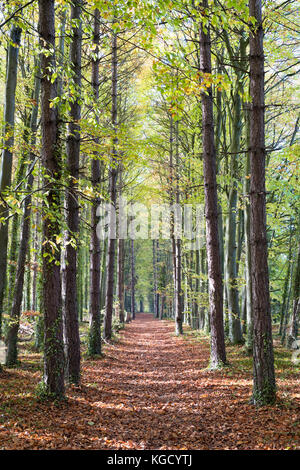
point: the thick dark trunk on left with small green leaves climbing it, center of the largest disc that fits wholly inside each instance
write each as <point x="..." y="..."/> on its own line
<point x="53" y="336"/>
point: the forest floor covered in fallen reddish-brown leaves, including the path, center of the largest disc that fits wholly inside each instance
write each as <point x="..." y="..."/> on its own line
<point x="152" y="390"/>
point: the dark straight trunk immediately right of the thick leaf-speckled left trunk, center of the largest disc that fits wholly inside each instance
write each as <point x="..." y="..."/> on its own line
<point x="71" y="326"/>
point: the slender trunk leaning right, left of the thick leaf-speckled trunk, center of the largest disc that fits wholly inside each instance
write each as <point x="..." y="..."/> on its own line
<point x="13" y="327"/>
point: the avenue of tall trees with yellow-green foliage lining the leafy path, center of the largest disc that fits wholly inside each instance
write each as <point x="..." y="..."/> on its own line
<point x="160" y="102"/>
